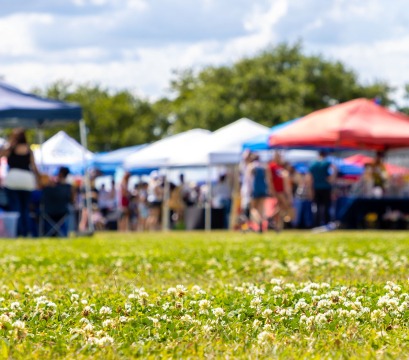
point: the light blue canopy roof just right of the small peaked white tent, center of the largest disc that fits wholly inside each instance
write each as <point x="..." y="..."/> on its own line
<point x="108" y="162"/>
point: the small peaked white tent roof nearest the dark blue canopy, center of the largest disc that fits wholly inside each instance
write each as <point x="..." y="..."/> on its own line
<point x="61" y="150"/>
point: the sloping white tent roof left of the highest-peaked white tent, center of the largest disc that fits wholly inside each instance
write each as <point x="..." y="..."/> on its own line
<point x="162" y="152"/>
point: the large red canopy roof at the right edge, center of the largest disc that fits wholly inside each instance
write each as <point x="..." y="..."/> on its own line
<point x="358" y="124"/>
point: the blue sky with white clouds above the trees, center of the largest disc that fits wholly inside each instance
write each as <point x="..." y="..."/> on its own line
<point x="136" y="44"/>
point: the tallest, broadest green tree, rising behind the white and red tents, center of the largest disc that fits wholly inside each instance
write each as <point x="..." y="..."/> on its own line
<point x="279" y="84"/>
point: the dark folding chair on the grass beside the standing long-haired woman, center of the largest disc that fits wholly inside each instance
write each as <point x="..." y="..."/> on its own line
<point x="55" y="210"/>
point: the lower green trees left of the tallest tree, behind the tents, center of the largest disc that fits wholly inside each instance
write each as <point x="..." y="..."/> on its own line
<point x="114" y="119"/>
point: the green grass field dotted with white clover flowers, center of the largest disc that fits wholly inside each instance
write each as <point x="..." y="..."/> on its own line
<point x="206" y="295"/>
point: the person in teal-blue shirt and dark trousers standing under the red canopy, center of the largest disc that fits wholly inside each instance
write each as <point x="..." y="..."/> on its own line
<point x="322" y="174"/>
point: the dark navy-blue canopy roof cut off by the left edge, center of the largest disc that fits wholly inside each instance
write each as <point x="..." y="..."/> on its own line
<point x="18" y="108"/>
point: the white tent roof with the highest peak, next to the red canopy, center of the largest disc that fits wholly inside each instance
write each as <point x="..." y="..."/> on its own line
<point x="224" y="146"/>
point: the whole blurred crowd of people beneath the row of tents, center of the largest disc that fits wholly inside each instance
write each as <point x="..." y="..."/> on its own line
<point x="269" y="192"/>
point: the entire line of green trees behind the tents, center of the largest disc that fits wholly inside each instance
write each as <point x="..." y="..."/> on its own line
<point x="278" y="84"/>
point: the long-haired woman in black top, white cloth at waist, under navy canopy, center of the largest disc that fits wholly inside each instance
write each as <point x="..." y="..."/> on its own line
<point x="21" y="178"/>
